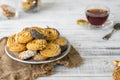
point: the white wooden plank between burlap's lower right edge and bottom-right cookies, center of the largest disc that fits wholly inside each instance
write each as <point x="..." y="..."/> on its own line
<point x="92" y="66"/>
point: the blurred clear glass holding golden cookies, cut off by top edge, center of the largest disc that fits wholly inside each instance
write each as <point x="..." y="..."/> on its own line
<point x="31" y="5"/>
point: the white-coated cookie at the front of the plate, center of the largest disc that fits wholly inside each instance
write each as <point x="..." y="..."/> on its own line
<point x="26" y="54"/>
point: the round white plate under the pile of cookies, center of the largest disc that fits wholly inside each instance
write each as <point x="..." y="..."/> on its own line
<point x="31" y="61"/>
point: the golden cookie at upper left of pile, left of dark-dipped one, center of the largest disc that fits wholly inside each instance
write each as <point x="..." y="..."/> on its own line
<point x="24" y="36"/>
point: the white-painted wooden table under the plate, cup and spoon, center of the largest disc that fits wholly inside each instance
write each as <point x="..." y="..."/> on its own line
<point x="97" y="54"/>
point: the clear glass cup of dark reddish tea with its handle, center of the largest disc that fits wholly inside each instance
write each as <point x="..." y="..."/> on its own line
<point x="97" y="16"/>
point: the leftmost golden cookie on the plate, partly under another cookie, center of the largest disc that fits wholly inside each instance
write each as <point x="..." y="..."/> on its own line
<point x="14" y="46"/>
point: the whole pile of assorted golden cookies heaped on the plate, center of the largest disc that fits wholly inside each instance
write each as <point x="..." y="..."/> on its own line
<point x="37" y="43"/>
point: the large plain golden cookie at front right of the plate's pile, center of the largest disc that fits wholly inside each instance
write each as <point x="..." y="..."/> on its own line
<point x="51" y="50"/>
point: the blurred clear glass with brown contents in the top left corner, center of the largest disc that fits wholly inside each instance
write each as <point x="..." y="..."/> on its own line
<point x="9" y="9"/>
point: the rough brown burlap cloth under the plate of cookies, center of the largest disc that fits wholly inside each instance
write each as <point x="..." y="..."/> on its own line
<point x="13" y="70"/>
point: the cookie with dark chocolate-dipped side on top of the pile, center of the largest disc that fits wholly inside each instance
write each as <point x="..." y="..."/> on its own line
<point x="38" y="33"/>
